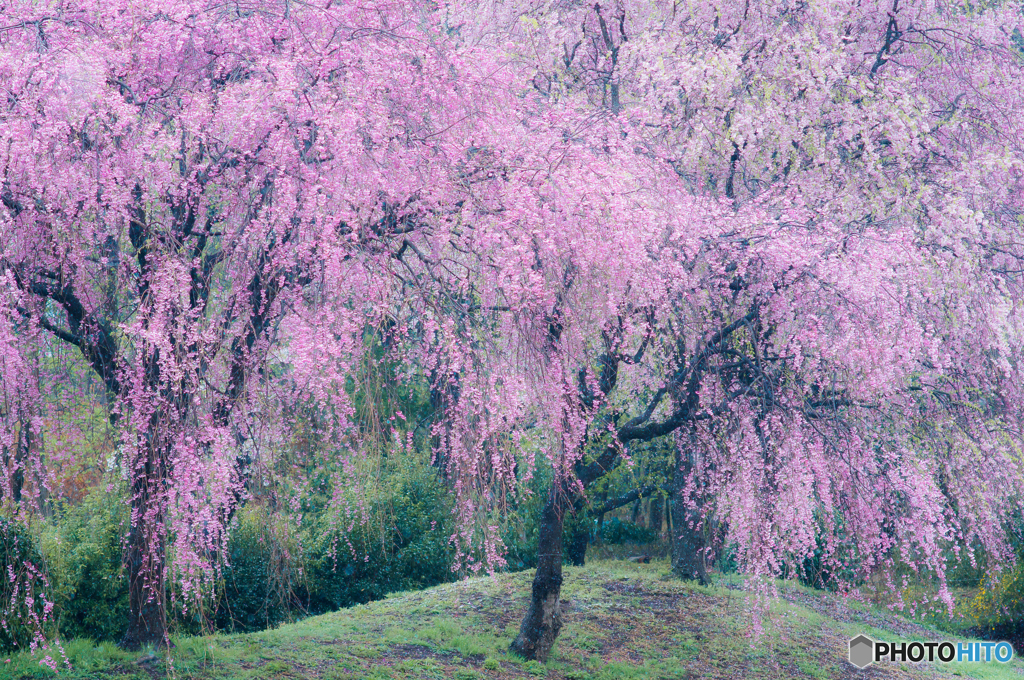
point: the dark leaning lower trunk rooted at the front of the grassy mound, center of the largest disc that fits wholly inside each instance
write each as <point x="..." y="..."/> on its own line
<point x="544" y="619"/>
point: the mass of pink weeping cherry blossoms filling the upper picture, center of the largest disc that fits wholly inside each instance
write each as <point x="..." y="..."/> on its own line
<point x="790" y="237"/>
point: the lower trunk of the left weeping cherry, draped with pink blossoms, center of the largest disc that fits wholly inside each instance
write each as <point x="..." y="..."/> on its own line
<point x="145" y="561"/>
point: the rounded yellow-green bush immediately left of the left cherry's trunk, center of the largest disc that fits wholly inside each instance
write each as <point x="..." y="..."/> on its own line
<point x="83" y="552"/>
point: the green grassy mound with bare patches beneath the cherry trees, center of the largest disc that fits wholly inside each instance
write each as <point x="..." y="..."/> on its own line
<point x="622" y="621"/>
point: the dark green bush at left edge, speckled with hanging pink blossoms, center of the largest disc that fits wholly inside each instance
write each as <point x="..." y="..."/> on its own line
<point x="23" y="605"/>
